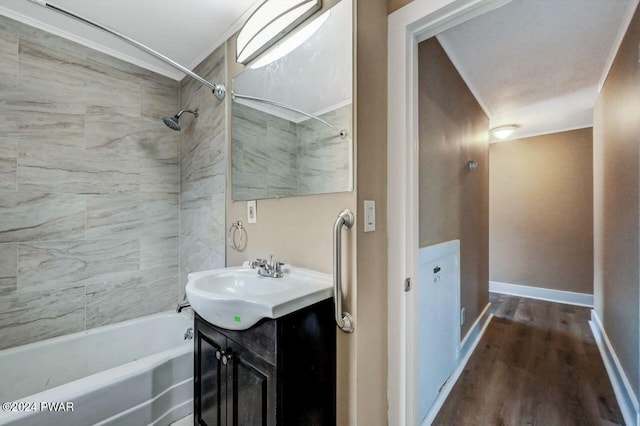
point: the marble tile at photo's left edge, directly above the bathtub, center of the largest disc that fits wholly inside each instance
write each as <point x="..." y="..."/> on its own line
<point x="30" y="317"/>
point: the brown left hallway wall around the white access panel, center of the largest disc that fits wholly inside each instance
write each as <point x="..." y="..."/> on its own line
<point x="453" y="201"/>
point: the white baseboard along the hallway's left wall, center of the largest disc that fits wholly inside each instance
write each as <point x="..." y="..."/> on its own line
<point x="467" y="346"/>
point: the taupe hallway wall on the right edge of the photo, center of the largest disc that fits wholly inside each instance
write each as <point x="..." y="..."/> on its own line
<point x="616" y="150"/>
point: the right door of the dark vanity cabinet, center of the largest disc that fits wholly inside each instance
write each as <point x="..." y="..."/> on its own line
<point x="251" y="385"/>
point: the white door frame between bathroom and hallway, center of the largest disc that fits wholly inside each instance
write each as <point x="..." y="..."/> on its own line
<point x="408" y="26"/>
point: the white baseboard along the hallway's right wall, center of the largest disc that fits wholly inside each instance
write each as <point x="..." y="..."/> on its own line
<point x="627" y="399"/>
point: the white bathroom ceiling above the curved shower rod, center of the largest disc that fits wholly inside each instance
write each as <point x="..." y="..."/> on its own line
<point x="186" y="34"/>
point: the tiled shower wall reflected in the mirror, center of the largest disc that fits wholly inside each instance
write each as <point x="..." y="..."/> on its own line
<point x="273" y="157"/>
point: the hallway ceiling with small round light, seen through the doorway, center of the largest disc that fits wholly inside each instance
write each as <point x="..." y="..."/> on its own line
<point x="539" y="64"/>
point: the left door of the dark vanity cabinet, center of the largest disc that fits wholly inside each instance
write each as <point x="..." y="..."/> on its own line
<point x="209" y="378"/>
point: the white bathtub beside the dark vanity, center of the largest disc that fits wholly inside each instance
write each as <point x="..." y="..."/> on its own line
<point x="137" y="372"/>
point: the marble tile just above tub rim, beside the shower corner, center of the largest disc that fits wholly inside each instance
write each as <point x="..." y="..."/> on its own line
<point x="109" y="303"/>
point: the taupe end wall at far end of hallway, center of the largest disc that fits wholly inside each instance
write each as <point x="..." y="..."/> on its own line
<point x="541" y="211"/>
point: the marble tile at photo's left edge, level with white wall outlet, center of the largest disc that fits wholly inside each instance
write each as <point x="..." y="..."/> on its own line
<point x="28" y="216"/>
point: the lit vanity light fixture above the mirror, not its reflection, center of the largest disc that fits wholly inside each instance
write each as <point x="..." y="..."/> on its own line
<point x="269" y="23"/>
